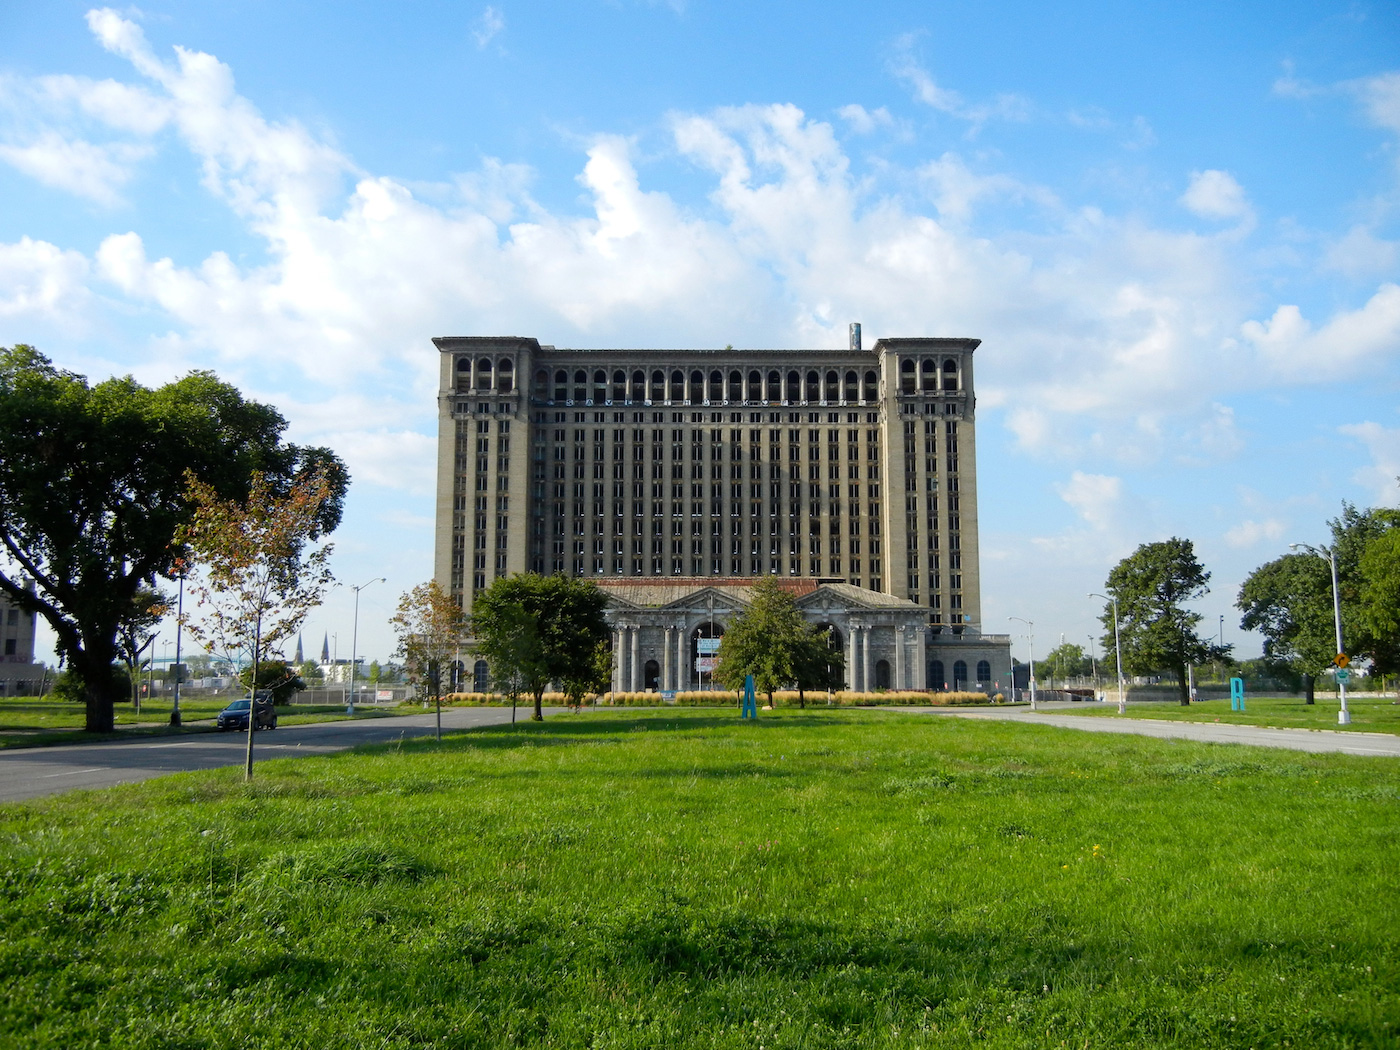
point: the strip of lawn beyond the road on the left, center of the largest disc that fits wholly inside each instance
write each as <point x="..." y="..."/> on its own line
<point x="31" y="722"/>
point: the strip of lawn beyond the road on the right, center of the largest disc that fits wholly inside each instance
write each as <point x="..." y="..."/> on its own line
<point x="1368" y="715"/>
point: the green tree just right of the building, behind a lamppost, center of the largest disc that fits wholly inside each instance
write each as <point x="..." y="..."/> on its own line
<point x="1153" y="586"/>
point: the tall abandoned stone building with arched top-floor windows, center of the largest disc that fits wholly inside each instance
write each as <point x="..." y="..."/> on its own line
<point x="677" y="478"/>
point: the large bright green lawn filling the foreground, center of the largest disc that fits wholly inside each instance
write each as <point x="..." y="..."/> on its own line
<point x="680" y="878"/>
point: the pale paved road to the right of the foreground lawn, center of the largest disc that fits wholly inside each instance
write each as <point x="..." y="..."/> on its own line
<point x="1258" y="737"/>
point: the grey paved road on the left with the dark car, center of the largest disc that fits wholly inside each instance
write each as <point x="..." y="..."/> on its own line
<point x="34" y="772"/>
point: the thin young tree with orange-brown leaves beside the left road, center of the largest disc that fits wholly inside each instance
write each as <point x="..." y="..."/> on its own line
<point x="260" y="579"/>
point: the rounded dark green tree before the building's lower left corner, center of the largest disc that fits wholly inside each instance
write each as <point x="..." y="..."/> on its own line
<point x="538" y="629"/>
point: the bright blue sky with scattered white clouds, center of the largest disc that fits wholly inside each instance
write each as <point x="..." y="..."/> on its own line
<point x="1175" y="229"/>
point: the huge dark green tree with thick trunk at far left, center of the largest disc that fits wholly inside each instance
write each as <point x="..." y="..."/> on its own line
<point x="93" y="493"/>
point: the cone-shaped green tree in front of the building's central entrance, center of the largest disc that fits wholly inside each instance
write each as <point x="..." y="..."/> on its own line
<point x="773" y="642"/>
